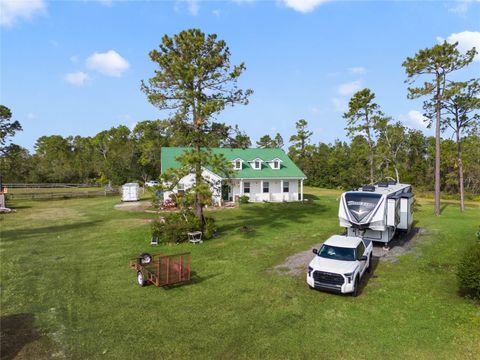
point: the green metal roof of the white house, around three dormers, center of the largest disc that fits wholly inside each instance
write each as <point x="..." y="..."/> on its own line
<point x="288" y="169"/>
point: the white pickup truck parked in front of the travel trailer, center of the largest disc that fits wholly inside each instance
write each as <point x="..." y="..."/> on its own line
<point x="340" y="264"/>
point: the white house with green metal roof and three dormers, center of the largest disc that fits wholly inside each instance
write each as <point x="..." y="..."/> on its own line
<point x="259" y="174"/>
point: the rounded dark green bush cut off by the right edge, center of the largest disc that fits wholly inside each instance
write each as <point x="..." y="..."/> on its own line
<point x="469" y="271"/>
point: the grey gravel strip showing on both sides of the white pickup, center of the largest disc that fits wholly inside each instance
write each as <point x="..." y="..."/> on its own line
<point x="297" y="264"/>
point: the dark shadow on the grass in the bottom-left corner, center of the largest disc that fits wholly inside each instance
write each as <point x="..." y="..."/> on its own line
<point x="16" y="332"/>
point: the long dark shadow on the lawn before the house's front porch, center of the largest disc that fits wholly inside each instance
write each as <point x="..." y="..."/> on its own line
<point x="273" y="215"/>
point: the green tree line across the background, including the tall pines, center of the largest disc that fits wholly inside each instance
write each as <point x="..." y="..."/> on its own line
<point x="195" y="81"/>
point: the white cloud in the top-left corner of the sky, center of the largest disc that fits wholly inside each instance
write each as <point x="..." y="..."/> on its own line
<point x="13" y="10"/>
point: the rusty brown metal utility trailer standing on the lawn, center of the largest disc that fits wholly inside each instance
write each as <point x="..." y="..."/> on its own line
<point x="160" y="269"/>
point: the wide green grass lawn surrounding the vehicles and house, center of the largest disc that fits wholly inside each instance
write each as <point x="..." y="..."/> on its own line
<point x="66" y="288"/>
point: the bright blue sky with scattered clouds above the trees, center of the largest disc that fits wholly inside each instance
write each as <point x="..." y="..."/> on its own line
<point x="74" y="67"/>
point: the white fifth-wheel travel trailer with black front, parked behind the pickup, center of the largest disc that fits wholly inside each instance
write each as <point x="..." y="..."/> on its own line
<point x="376" y="212"/>
